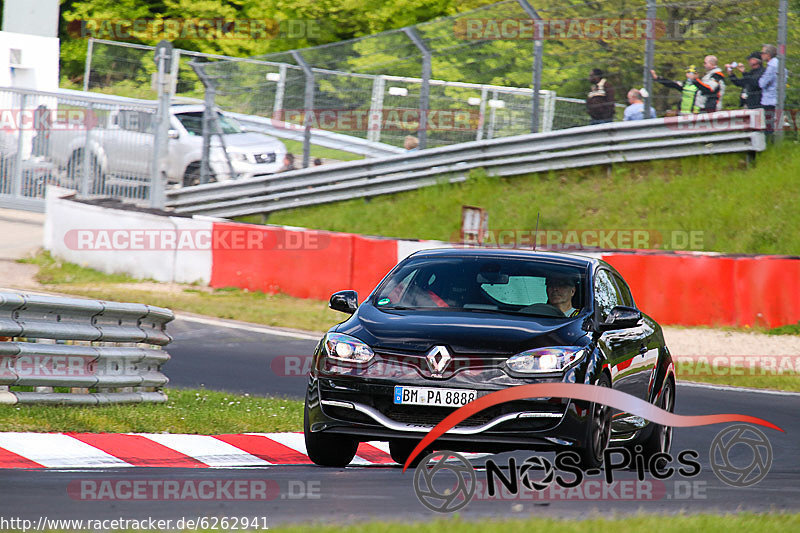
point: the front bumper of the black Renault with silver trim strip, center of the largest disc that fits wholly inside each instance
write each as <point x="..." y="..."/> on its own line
<point x="364" y="409"/>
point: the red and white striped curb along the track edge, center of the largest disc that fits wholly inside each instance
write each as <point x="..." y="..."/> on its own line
<point x="113" y="450"/>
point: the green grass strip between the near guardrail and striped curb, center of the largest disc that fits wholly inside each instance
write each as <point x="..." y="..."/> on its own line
<point x="187" y="411"/>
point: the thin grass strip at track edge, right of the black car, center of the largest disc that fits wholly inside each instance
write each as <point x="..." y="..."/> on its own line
<point x="740" y="376"/>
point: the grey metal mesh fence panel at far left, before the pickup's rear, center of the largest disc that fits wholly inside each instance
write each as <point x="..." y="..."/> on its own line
<point x="93" y="146"/>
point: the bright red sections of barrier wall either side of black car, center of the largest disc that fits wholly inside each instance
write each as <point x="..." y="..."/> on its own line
<point x="682" y="288"/>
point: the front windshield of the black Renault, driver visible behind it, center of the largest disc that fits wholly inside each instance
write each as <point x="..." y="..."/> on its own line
<point x="485" y="284"/>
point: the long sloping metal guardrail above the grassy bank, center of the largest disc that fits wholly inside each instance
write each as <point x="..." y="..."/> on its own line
<point x="715" y="133"/>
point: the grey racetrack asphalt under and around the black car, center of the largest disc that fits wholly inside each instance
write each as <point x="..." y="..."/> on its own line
<point x="239" y="360"/>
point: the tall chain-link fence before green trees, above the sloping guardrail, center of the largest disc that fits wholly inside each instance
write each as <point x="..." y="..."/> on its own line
<point x="470" y="76"/>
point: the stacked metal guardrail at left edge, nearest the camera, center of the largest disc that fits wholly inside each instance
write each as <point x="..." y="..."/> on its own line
<point x="103" y="352"/>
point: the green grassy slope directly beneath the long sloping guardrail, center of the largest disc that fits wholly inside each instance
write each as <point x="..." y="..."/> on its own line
<point x="736" y="208"/>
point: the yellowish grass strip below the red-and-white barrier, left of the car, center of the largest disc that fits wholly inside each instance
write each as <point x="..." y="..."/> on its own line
<point x="231" y="303"/>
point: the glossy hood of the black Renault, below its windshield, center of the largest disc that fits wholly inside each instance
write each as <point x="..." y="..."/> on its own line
<point x="463" y="332"/>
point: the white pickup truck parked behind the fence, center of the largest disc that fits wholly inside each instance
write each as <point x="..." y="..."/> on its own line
<point x="121" y="149"/>
